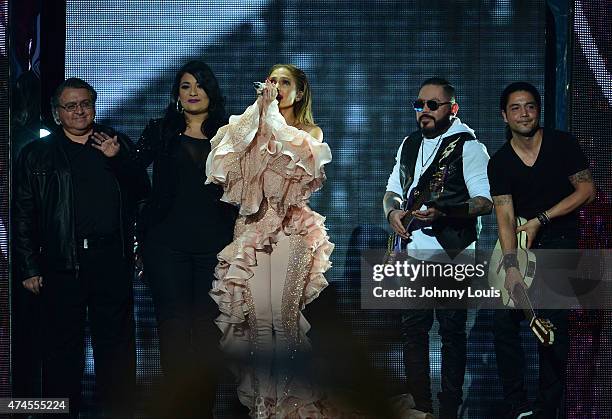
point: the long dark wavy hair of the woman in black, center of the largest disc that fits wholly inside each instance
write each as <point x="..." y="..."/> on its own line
<point x="174" y="121"/>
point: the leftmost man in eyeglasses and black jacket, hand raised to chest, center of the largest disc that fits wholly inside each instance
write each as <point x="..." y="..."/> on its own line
<point x="75" y="196"/>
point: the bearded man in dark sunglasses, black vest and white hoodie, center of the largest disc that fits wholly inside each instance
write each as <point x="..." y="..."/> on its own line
<point x="448" y="225"/>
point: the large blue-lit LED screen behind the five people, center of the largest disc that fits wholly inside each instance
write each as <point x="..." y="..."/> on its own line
<point x="365" y="60"/>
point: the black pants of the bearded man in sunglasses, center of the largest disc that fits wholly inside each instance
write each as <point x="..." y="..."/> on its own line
<point x="416" y="325"/>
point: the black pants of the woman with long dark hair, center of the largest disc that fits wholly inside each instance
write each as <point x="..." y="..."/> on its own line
<point x="188" y="336"/>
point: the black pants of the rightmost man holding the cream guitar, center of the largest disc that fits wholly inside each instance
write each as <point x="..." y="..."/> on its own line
<point x="553" y="360"/>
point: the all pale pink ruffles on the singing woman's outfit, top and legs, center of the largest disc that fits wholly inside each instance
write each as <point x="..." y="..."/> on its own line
<point x="270" y="170"/>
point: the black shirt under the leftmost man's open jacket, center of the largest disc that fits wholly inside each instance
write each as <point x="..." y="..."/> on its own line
<point x="96" y="191"/>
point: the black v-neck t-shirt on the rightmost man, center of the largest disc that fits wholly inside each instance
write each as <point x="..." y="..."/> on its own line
<point x="538" y="188"/>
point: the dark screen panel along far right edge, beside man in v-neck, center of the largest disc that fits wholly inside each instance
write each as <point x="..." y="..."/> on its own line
<point x="590" y="394"/>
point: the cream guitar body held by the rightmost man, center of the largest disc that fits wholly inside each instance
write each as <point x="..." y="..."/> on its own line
<point x="527" y="265"/>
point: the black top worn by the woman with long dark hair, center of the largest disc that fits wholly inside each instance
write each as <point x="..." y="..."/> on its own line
<point x="197" y="221"/>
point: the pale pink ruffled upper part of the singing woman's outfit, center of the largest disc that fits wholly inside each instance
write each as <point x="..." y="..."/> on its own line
<point x="282" y="163"/>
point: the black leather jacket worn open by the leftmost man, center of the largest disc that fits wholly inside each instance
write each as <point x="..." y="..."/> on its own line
<point x="44" y="234"/>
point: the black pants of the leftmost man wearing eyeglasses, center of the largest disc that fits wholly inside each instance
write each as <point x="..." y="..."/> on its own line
<point x="102" y="292"/>
